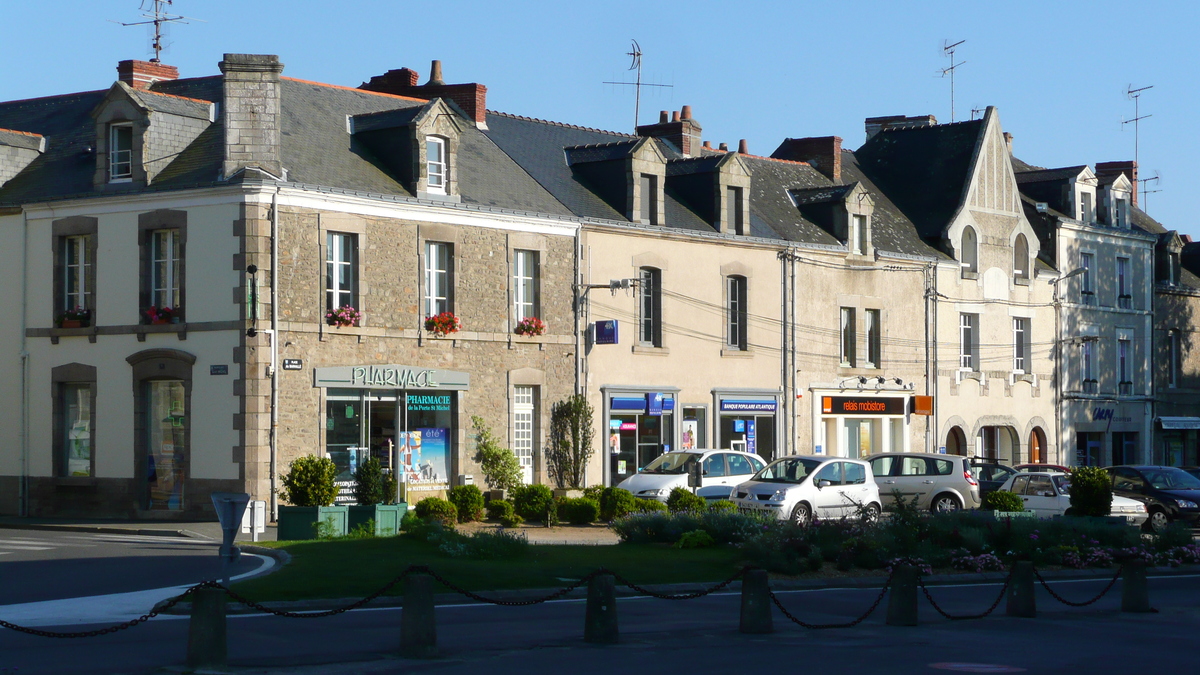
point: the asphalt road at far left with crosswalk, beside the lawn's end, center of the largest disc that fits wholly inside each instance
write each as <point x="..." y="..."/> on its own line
<point x="44" y="566"/>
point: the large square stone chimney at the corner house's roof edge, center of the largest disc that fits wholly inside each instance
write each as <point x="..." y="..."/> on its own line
<point x="251" y="114"/>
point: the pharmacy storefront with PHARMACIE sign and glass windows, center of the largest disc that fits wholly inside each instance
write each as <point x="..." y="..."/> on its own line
<point x="404" y="416"/>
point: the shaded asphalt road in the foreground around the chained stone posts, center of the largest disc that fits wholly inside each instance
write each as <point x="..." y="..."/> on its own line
<point x="680" y="637"/>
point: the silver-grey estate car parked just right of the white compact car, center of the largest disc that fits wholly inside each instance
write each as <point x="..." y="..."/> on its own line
<point x="940" y="483"/>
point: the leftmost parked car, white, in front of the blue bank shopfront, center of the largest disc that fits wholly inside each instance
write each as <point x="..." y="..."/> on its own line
<point x="670" y="470"/>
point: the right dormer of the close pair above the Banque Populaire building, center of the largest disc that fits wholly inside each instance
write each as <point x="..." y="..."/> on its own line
<point x="717" y="188"/>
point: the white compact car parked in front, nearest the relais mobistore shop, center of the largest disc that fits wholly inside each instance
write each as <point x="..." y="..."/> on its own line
<point x="802" y="488"/>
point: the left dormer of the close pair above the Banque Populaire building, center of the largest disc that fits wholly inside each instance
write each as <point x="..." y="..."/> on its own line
<point x="631" y="176"/>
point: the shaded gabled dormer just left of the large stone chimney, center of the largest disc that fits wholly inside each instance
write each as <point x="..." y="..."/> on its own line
<point x="140" y="133"/>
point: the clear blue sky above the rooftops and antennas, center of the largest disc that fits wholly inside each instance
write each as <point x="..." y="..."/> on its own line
<point x="1058" y="70"/>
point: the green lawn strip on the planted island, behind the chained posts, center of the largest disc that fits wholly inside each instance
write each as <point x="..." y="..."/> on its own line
<point x="351" y="569"/>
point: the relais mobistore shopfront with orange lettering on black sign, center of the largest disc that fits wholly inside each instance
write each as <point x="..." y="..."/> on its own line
<point x="856" y="426"/>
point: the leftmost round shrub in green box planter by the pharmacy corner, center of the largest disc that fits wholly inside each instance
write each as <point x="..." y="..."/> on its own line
<point x="309" y="487"/>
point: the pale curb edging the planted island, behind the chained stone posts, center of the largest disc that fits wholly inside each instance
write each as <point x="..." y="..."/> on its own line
<point x="454" y="599"/>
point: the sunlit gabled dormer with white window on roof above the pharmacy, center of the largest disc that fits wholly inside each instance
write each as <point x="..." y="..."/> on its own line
<point x="418" y="145"/>
